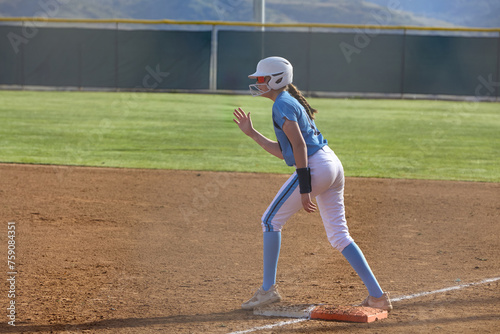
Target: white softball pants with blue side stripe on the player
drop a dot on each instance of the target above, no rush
(327, 178)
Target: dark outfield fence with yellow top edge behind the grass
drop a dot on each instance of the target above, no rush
(363, 62)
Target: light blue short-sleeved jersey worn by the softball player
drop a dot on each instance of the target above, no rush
(287, 107)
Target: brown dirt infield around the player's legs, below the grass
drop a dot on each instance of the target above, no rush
(156, 251)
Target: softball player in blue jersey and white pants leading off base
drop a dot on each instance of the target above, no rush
(319, 173)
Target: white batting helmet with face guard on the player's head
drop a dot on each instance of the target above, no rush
(279, 69)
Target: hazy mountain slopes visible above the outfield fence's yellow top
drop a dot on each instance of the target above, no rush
(478, 13)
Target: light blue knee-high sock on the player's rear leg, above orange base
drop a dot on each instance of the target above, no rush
(357, 260)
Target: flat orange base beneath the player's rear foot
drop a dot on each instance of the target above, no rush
(348, 313)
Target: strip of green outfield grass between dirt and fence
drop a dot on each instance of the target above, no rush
(373, 138)
